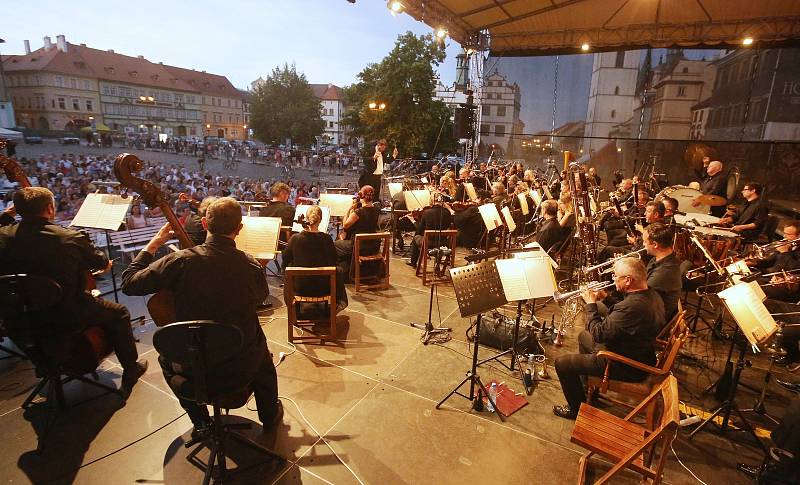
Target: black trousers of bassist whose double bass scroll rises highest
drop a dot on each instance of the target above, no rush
(264, 386)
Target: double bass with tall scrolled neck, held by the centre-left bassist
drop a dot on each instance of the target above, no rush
(161, 305)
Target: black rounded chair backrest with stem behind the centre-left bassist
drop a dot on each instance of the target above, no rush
(199, 345)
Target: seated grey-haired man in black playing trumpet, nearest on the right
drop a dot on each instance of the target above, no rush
(629, 329)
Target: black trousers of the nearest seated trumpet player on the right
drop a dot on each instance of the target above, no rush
(572, 367)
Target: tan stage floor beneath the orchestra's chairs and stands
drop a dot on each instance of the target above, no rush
(372, 399)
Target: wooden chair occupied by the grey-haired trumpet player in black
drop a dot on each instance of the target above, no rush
(664, 363)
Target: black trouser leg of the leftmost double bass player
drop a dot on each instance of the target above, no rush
(115, 320)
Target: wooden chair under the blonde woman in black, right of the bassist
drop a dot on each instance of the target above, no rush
(292, 301)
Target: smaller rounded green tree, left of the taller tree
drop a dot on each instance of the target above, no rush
(284, 106)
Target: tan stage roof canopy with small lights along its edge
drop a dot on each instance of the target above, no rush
(546, 27)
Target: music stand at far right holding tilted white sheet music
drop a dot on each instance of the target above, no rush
(755, 323)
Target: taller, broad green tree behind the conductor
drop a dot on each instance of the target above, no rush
(405, 81)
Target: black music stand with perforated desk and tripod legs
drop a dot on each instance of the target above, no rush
(478, 289)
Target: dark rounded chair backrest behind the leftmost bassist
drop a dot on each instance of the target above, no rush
(22, 293)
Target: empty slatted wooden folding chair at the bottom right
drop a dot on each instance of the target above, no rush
(626, 444)
